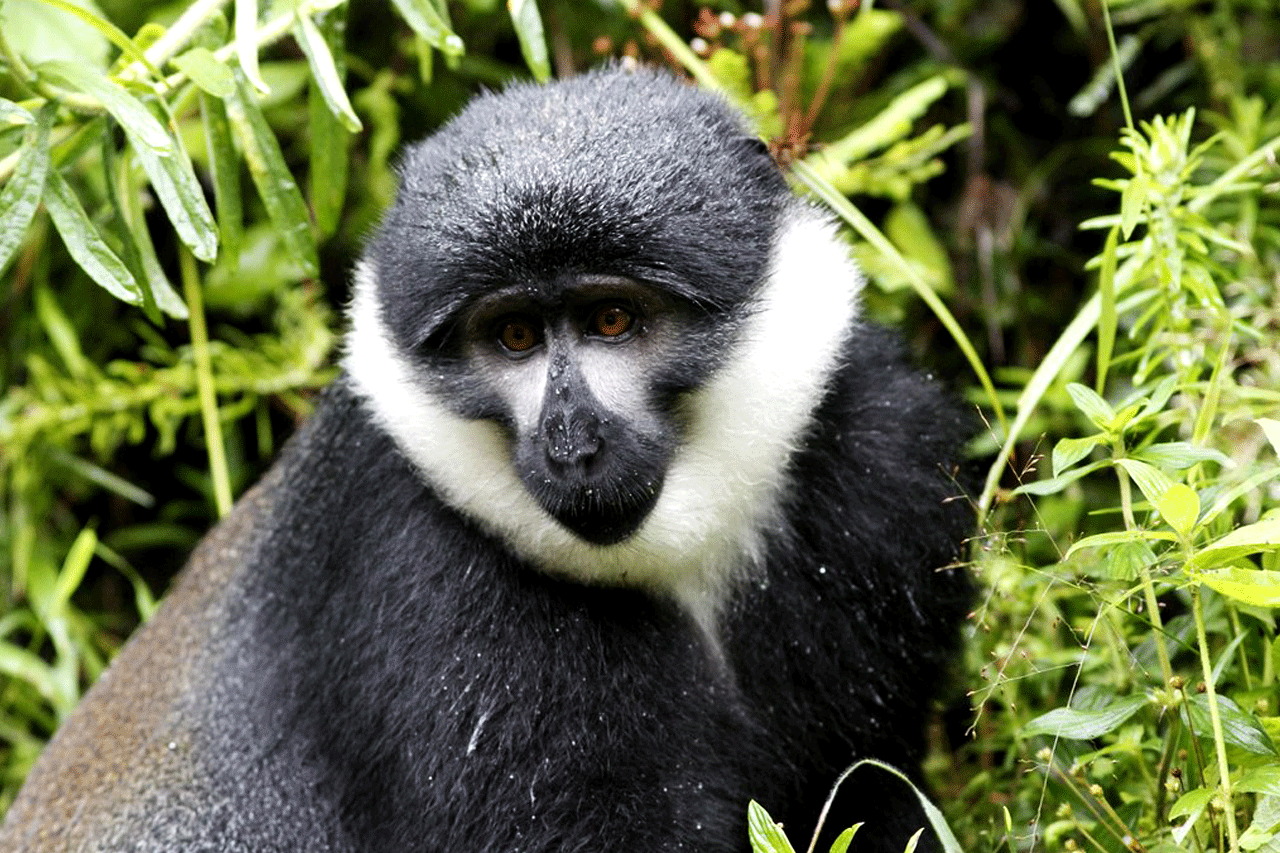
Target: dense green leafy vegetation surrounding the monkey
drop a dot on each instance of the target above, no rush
(1072, 209)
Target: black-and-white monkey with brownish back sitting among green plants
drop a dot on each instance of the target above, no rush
(618, 518)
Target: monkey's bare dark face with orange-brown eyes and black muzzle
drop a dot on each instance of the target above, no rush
(586, 378)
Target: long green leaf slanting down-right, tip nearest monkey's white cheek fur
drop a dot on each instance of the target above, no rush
(272, 177)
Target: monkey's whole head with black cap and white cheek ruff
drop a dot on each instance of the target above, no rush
(568, 323)
